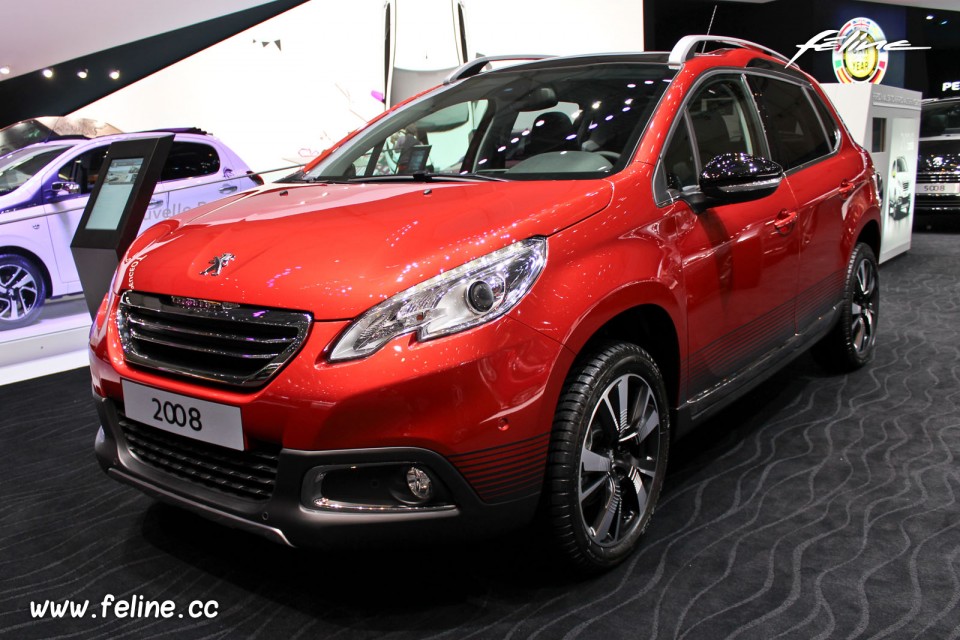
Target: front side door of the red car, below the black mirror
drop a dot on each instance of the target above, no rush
(740, 260)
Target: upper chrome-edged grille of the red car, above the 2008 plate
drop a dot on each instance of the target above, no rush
(221, 342)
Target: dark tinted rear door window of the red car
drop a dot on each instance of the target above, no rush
(796, 134)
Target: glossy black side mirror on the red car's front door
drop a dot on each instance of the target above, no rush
(736, 177)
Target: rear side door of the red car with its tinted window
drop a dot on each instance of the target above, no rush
(805, 140)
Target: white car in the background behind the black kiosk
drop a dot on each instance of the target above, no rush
(44, 188)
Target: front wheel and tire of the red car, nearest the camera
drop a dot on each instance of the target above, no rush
(607, 458)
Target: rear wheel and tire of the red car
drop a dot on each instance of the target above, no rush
(852, 341)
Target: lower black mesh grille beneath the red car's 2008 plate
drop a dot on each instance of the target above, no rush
(248, 474)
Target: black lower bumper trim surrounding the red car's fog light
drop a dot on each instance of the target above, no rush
(283, 518)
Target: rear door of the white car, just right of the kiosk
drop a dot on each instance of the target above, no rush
(194, 174)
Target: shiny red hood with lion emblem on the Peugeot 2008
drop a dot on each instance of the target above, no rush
(336, 250)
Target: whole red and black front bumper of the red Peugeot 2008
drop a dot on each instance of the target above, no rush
(476, 408)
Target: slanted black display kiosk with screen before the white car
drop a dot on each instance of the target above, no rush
(115, 211)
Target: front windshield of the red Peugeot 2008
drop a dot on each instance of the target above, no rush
(559, 123)
